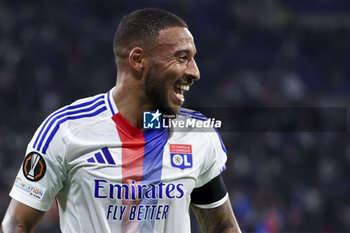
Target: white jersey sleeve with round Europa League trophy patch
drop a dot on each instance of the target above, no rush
(42, 172)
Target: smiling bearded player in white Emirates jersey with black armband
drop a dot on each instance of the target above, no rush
(107, 173)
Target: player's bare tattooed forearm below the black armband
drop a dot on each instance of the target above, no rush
(217, 220)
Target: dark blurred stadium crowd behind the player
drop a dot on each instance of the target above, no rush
(250, 53)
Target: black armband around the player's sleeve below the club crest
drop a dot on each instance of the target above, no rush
(209, 193)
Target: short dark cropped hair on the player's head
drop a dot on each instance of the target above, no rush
(141, 28)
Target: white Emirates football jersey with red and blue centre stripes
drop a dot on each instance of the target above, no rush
(108, 176)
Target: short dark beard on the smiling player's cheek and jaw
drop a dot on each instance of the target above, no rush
(156, 91)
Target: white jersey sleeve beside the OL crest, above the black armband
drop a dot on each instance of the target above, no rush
(215, 158)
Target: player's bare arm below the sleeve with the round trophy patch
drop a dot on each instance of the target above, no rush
(20, 218)
